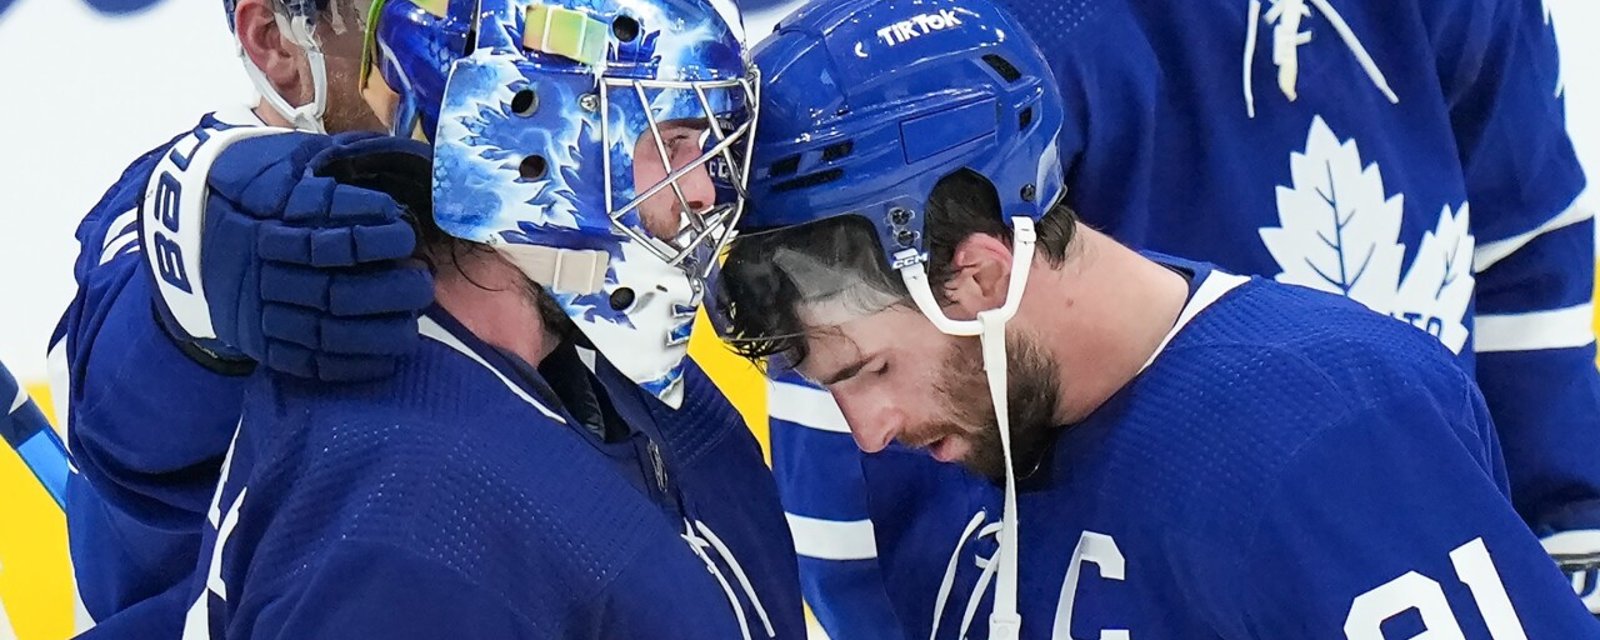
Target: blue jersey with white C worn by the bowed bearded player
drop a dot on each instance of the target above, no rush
(1366, 500)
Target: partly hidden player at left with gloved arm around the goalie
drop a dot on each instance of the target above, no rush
(153, 388)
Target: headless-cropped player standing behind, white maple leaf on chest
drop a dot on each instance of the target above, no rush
(1169, 150)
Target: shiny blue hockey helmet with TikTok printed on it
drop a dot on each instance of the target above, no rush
(870, 103)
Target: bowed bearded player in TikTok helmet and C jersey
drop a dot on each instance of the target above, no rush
(1238, 458)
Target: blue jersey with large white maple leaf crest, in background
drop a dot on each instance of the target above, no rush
(1412, 156)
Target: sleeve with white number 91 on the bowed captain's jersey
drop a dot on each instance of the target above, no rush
(1388, 526)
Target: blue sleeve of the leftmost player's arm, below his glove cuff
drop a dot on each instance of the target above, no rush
(146, 422)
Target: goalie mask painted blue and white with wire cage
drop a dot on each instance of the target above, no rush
(598, 145)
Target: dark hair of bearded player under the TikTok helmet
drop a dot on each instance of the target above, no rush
(761, 300)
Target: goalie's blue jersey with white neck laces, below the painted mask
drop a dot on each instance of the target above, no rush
(476, 497)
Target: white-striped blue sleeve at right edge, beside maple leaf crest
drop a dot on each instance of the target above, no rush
(1535, 257)
